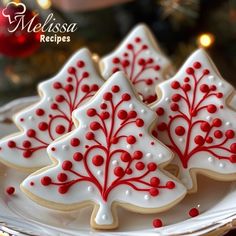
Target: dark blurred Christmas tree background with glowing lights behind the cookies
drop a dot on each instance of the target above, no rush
(180, 26)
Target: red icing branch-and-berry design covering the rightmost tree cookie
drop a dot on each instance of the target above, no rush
(211, 137)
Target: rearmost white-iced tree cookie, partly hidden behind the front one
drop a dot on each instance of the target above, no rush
(141, 59)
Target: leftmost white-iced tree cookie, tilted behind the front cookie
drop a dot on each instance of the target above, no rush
(51, 117)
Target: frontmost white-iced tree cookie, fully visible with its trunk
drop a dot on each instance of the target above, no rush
(110, 159)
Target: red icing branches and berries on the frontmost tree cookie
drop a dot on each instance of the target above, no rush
(110, 121)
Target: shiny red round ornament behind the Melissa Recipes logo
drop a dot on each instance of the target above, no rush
(19, 43)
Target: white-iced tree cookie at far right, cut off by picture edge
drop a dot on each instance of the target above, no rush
(196, 122)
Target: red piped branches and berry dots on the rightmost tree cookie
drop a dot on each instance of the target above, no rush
(211, 130)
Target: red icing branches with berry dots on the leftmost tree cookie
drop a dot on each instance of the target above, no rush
(73, 93)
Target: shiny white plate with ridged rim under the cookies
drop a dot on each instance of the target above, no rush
(215, 201)
